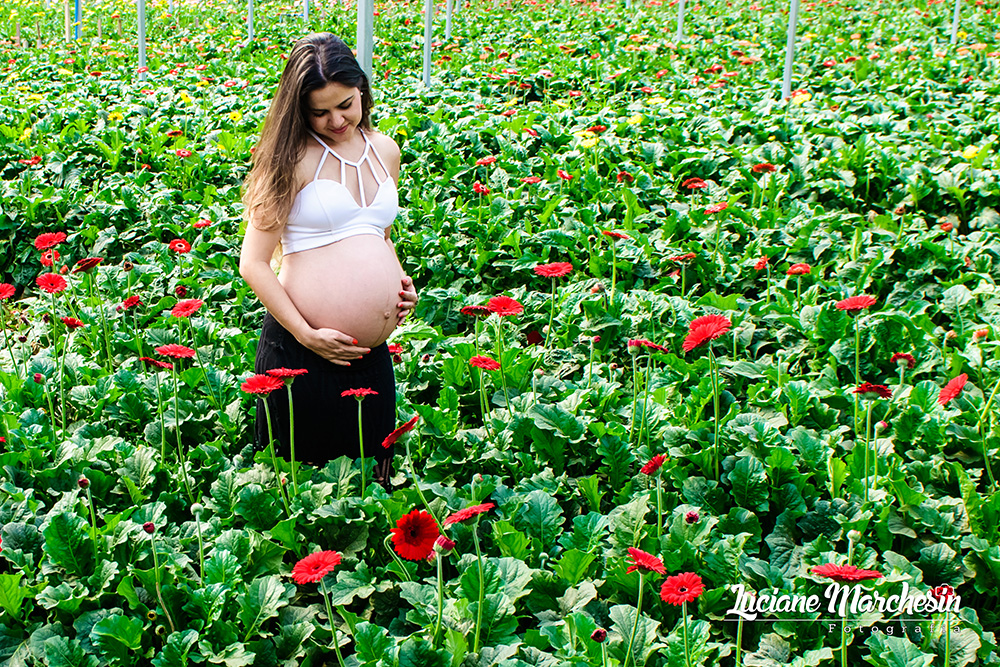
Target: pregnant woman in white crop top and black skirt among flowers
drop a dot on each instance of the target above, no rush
(321, 198)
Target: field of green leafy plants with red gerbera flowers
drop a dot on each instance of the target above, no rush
(678, 339)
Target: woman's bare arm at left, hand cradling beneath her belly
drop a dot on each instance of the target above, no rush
(255, 267)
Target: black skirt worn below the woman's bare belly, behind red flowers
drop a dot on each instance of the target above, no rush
(326, 423)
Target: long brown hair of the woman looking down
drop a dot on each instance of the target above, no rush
(315, 61)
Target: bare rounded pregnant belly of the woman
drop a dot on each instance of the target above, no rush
(352, 286)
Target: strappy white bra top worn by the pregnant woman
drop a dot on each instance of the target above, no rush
(325, 212)
